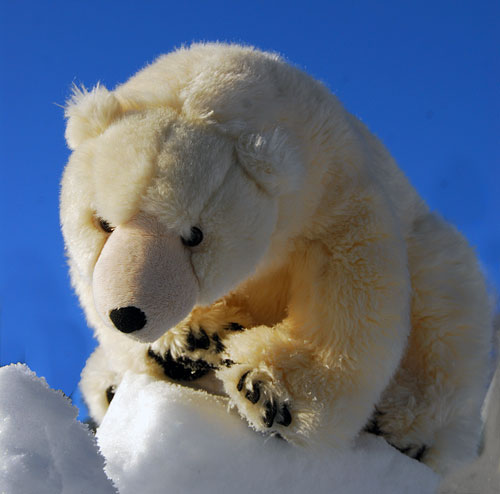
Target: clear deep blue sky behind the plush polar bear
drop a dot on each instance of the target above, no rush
(424, 76)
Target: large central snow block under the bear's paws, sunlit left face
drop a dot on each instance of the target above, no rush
(160, 437)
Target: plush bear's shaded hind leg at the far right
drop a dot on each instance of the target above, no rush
(433, 402)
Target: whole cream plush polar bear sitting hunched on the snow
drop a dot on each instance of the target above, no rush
(230, 225)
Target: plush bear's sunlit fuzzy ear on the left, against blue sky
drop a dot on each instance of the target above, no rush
(89, 113)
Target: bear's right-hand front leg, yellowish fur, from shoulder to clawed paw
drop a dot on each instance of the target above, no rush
(315, 376)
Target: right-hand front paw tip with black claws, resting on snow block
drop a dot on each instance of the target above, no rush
(260, 398)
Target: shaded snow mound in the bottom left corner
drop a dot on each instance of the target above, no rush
(43, 448)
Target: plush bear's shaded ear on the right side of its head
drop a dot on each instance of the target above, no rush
(272, 160)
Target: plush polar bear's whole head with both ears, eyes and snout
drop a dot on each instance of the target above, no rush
(164, 207)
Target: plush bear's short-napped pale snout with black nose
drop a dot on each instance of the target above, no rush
(143, 281)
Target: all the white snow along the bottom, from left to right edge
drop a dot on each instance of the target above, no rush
(160, 438)
